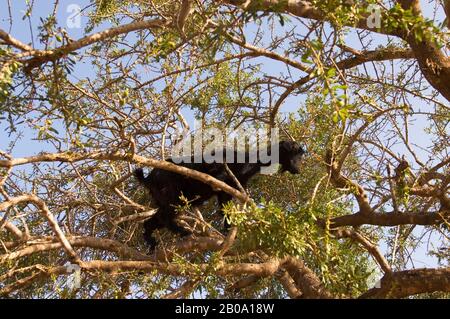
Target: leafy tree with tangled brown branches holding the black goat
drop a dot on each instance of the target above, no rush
(87, 98)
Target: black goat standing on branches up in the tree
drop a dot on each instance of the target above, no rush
(166, 187)
